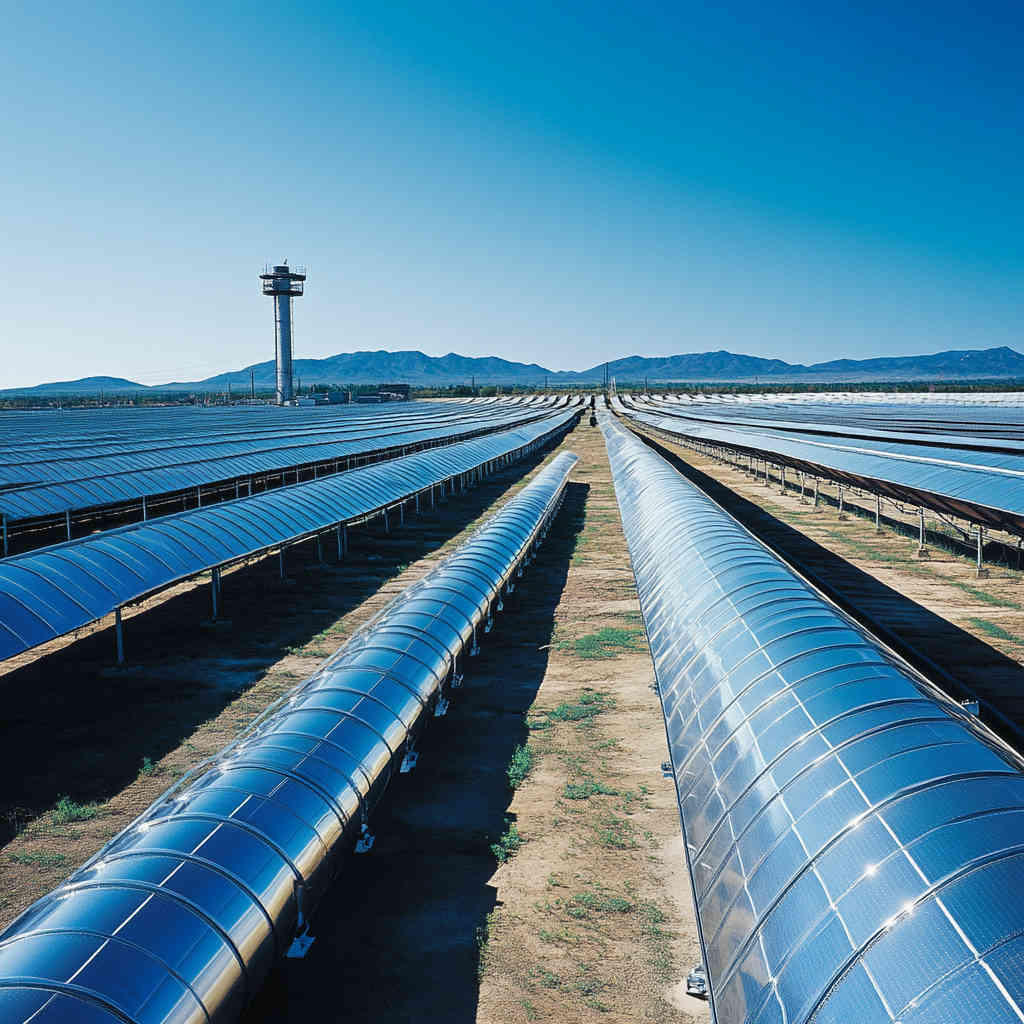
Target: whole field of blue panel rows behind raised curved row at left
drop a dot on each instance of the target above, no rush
(61, 465)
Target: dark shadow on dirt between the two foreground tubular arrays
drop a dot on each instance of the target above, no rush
(398, 935)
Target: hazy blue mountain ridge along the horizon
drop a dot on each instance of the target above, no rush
(418, 369)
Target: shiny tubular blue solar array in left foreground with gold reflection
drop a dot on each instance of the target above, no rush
(180, 918)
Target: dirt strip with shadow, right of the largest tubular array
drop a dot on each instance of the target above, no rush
(965, 633)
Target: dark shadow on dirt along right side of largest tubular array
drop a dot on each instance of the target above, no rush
(958, 662)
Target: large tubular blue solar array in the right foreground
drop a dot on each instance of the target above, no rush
(856, 840)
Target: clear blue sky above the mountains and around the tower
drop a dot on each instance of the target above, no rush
(802, 181)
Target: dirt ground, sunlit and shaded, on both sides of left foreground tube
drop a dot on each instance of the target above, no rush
(563, 899)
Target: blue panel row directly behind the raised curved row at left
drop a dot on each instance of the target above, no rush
(112, 481)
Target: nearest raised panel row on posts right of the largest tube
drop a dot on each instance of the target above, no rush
(979, 487)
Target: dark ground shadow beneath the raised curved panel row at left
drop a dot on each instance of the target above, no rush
(75, 726)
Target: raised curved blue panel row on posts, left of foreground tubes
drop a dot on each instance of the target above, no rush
(48, 593)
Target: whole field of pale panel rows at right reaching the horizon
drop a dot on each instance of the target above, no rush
(971, 466)
